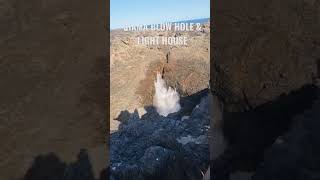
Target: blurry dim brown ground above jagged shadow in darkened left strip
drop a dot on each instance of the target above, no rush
(53, 83)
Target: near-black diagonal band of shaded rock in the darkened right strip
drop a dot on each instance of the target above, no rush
(251, 132)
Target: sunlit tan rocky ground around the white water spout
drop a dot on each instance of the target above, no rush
(133, 68)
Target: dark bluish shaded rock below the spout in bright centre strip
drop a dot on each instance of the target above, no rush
(156, 147)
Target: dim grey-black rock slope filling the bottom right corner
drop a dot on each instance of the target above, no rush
(295, 155)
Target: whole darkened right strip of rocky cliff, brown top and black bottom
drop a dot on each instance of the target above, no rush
(264, 53)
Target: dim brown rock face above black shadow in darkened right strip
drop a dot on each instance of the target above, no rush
(263, 49)
